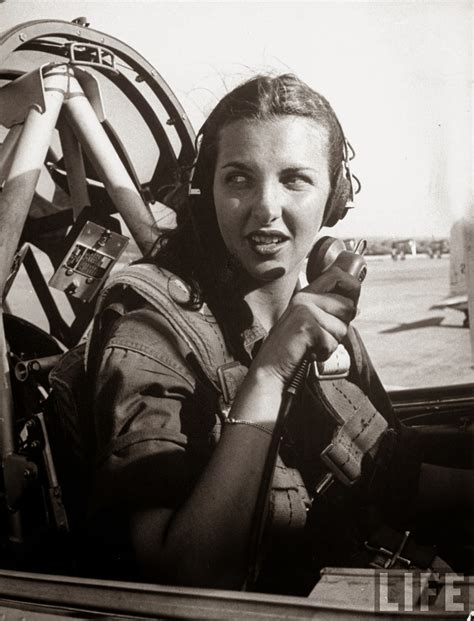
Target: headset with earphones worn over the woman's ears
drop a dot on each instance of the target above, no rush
(341, 198)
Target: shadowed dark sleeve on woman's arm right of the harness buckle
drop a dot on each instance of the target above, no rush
(395, 475)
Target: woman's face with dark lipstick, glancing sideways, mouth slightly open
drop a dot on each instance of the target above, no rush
(271, 185)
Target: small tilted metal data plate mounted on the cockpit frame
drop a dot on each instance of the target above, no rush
(89, 261)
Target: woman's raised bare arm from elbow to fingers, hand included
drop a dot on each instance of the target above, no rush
(205, 542)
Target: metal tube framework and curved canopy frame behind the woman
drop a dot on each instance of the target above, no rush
(63, 94)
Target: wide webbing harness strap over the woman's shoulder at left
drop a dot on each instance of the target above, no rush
(168, 294)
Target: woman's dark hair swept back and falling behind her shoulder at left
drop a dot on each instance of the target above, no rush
(195, 249)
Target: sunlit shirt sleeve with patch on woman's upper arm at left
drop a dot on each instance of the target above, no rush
(154, 417)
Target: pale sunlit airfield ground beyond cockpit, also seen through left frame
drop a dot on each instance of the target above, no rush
(410, 345)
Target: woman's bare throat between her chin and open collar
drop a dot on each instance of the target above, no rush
(269, 301)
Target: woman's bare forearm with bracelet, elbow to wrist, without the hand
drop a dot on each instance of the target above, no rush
(205, 542)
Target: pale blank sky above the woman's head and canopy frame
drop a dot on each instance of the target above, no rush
(398, 74)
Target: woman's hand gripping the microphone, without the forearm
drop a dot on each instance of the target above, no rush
(312, 326)
